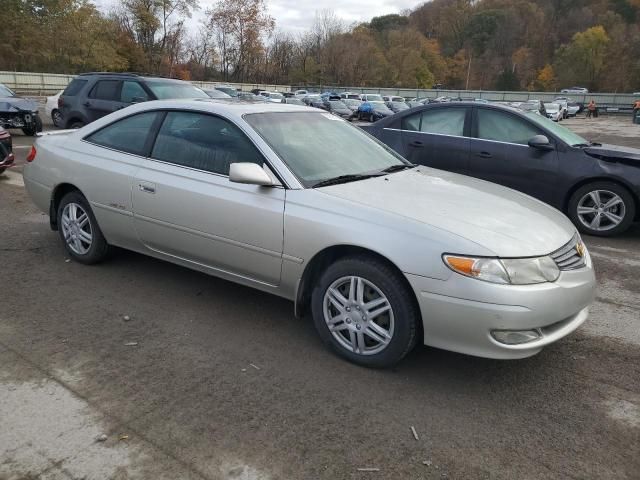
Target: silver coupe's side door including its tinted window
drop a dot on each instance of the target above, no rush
(185, 207)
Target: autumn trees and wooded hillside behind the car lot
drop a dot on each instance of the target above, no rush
(481, 44)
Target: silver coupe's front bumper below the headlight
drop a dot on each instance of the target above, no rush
(460, 313)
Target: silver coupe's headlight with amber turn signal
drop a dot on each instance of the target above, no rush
(514, 271)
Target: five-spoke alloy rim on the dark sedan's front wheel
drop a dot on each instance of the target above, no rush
(601, 210)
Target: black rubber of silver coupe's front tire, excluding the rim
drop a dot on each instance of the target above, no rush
(405, 312)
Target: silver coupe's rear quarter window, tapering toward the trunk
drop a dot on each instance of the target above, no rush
(127, 135)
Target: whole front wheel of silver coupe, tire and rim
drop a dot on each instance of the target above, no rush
(380, 282)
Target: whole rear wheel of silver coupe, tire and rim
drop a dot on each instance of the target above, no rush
(77, 246)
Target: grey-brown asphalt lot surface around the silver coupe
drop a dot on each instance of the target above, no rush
(224, 382)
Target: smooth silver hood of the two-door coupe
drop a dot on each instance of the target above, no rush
(503, 221)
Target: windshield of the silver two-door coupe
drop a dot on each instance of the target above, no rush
(300, 140)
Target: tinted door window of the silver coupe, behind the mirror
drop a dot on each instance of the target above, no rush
(204, 142)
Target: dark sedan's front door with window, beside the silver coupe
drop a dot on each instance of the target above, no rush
(499, 153)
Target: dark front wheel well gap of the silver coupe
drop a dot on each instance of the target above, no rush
(329, 255)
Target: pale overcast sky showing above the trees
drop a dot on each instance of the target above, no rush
(298, 15)
